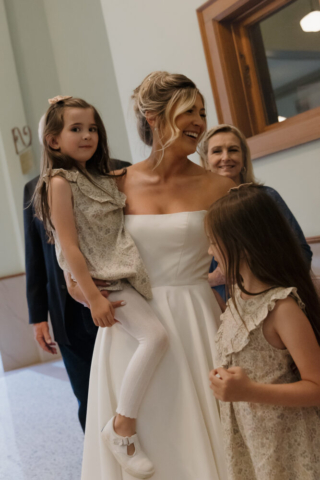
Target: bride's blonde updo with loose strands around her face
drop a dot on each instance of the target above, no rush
(166, 96)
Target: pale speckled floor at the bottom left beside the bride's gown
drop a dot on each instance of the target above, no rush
(40, 436)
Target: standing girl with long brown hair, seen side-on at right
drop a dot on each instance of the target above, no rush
(268, 382)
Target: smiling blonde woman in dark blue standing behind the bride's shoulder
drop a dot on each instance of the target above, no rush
(224, 150)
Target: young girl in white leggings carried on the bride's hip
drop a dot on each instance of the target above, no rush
(82, 210)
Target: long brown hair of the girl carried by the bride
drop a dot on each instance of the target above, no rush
(52, 159)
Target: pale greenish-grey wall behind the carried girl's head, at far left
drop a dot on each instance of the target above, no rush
(48, 48)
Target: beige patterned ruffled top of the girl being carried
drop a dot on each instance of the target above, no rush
(108, 248)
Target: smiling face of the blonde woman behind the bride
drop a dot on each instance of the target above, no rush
(225, 155)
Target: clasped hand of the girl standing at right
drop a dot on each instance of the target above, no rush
(232, 385)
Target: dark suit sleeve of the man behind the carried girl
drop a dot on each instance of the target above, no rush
(36, 276)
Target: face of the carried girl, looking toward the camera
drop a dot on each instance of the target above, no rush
(79, 137)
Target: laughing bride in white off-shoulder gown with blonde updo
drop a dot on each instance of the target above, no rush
(167, 198)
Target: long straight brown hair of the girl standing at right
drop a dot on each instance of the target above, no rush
(247, 225)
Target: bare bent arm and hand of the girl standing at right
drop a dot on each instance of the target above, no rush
(295, 331)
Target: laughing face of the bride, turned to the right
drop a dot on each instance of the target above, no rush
(191, 125)
